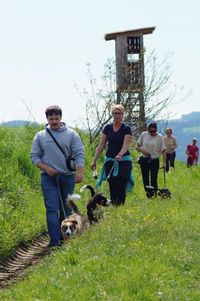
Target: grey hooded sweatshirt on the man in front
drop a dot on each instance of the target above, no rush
(45, 149)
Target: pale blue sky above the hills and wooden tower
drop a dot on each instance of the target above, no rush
(46, 44)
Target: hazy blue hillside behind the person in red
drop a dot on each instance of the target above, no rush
(184, 129)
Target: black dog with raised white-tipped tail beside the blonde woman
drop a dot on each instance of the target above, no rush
(94, 211)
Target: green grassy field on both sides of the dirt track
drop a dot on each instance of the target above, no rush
(146, 250)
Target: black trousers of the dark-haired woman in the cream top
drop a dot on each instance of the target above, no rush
(149, 171)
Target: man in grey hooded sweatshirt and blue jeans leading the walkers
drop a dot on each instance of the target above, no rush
(51, 148)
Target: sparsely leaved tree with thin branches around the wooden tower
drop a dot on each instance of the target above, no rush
(159, 93)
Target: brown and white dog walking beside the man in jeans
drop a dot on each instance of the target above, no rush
(75, 223)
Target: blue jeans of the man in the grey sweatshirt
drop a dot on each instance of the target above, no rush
(54, 209)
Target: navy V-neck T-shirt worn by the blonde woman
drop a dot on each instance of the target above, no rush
(116, 139)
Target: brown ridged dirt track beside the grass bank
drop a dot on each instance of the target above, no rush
(15, 267)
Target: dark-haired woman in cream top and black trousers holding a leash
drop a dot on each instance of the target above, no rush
(151, 144)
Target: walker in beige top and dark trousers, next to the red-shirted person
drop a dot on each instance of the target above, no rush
(171, 145)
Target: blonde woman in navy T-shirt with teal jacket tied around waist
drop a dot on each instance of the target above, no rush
(117, 137)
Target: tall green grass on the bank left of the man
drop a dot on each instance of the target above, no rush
(20, 196)
